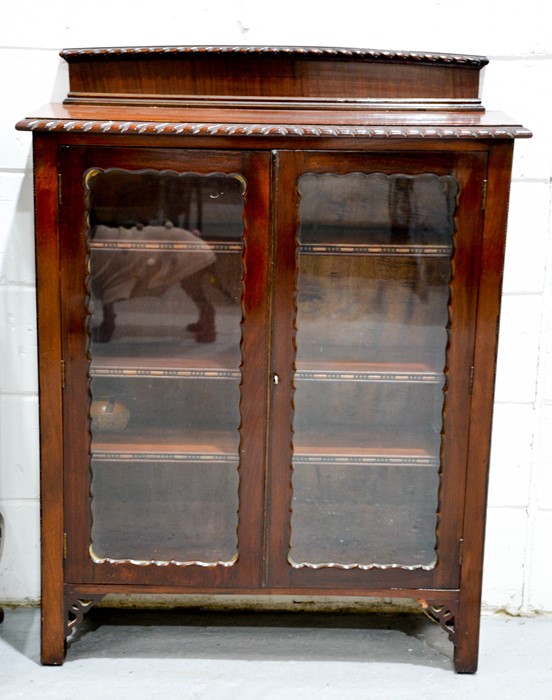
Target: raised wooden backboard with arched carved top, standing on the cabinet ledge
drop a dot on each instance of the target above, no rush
(284, 74)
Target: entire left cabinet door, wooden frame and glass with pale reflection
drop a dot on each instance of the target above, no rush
(164, 279)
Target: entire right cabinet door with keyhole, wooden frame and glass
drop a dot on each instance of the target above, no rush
(377, 267)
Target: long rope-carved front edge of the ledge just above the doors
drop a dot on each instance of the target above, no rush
(272, 130)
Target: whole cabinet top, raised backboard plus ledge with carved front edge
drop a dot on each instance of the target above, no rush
(268, 90)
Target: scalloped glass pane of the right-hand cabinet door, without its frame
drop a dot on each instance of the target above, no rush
(374, 259)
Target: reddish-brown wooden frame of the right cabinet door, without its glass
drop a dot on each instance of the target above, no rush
(469, 171)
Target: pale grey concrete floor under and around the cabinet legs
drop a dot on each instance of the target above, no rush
(196, 654)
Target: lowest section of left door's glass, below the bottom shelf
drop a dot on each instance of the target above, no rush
(173, 520)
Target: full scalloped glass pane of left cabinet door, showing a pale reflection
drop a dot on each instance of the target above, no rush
(165, 286)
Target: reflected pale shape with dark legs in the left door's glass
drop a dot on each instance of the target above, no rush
(119, 274)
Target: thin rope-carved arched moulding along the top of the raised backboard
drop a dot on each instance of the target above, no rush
(299, 51)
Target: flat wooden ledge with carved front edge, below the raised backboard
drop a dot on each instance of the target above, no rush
(317, 126)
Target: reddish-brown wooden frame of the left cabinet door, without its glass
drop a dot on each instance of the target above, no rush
(79, 565)
